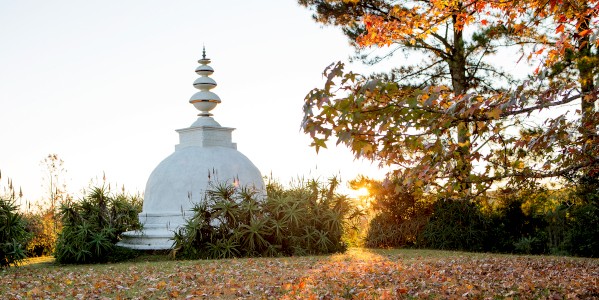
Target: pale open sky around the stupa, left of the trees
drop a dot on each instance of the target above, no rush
(104, 84)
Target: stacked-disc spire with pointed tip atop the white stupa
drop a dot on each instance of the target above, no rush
(204, 100)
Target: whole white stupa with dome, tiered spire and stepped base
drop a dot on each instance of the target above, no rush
(205, 154)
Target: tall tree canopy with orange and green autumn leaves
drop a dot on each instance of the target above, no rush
(448, 115)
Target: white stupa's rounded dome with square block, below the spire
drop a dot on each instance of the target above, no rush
(204, 155)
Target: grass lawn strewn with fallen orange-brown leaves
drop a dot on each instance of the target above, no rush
(359, 274)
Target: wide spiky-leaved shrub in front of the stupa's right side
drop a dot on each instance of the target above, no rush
(238, 221)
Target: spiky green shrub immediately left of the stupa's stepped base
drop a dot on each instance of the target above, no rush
(91, 227)
